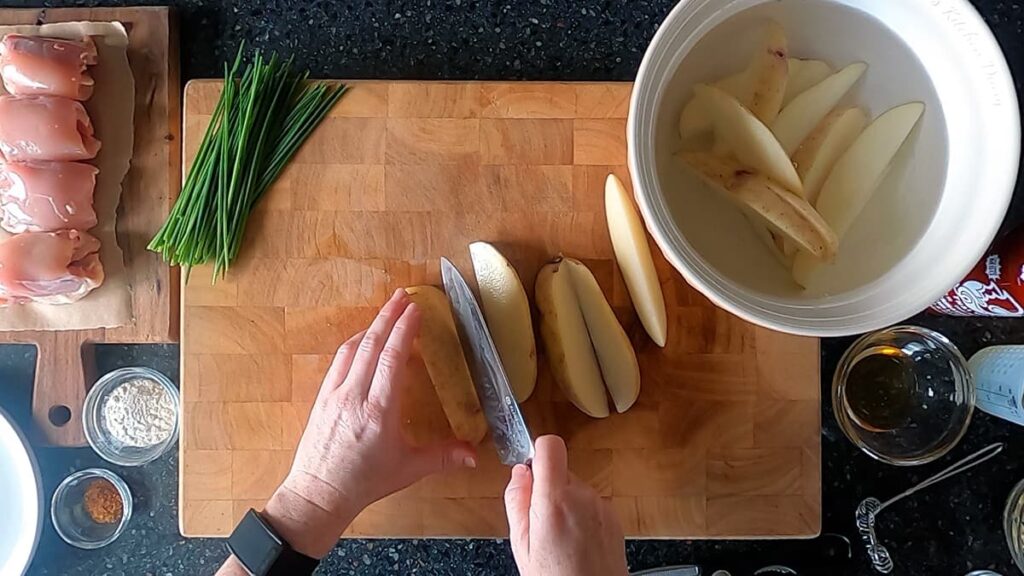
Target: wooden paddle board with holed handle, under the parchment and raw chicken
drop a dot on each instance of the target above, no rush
(64, 364)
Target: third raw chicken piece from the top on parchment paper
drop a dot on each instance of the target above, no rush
(41, 196)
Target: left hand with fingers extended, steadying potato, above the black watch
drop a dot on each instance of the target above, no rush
(353, 452)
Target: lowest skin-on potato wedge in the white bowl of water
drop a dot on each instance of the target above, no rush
(783, 212)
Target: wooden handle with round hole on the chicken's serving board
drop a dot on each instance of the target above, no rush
(61, 385)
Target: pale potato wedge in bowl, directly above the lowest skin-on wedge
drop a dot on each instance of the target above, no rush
(750, 140)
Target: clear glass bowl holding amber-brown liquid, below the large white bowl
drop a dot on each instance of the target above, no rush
(904, 395)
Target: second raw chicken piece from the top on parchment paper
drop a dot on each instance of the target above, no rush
(46, 129)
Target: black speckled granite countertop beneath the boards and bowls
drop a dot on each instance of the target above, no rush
(950, 529)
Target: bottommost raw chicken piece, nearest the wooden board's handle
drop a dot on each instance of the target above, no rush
(53, 268)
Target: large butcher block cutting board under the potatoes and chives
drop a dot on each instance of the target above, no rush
(723, 441)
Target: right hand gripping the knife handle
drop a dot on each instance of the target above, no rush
(559, 526)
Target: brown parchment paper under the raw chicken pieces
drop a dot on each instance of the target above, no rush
(112, 109)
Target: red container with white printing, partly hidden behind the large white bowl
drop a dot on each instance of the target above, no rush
(995, 287)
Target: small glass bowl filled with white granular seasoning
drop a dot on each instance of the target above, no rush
(99, 436)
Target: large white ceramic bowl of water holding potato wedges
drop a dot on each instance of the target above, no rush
(933, 217)
